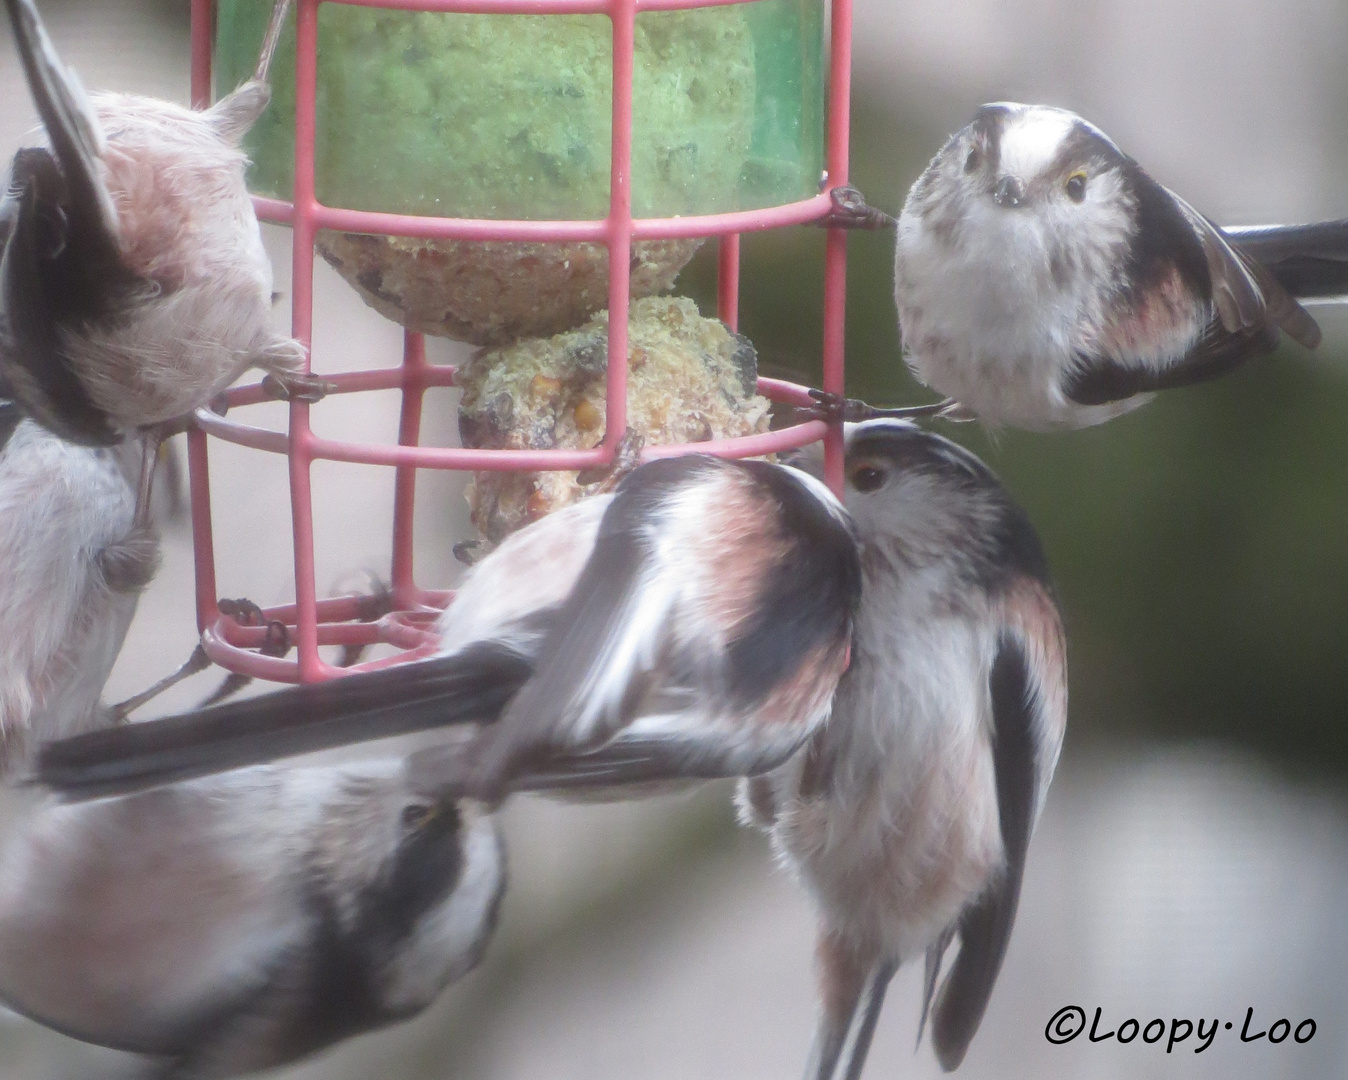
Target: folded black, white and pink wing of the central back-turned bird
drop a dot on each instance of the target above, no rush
(708, 628)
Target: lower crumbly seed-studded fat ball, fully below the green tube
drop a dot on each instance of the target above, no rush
(690, 381)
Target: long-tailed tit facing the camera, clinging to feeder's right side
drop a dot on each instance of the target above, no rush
(1044, 280)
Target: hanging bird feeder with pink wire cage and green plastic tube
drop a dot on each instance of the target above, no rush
(505, 131)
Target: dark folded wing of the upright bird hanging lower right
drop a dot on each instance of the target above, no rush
(986, 927)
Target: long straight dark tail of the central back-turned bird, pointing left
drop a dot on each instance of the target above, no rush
(468, 687)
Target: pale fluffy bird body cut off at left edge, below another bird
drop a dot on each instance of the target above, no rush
(73, 562)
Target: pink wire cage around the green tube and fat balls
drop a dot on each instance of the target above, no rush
(339, 621)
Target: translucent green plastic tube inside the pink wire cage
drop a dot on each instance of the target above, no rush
(509, 117)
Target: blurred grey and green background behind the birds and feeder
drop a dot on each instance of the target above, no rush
(1194, 857)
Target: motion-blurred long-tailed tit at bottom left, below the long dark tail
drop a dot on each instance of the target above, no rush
(239, 923)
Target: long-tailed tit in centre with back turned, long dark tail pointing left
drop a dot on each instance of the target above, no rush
(704, 611)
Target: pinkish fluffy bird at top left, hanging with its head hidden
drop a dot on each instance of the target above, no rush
(134, 287)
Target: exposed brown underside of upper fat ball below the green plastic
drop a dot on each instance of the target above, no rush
(493, 293)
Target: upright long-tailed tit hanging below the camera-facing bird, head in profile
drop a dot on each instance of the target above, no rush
(909, 814)
